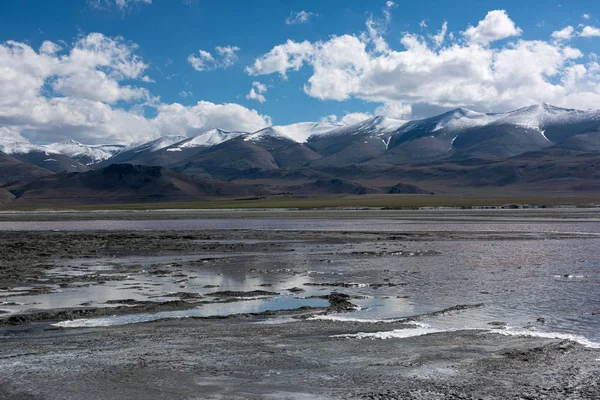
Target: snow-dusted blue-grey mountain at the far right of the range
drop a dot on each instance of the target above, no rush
(463, 133)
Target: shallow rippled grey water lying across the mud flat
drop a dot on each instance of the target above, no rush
(539, 285)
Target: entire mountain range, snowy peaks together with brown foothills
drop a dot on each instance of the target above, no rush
(460, 150)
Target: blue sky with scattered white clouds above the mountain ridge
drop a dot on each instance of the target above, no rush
(124, 71)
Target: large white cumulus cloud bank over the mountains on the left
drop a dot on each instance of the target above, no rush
(55, 94)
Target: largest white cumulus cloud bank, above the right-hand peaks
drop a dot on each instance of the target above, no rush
(474, 73)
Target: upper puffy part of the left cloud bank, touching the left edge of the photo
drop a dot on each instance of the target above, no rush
(92, 69)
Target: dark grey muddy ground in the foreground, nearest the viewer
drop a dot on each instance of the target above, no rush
(246, 358)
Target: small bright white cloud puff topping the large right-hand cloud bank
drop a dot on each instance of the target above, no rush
(495, 26)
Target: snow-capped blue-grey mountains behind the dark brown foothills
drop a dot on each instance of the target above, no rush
(458, 133)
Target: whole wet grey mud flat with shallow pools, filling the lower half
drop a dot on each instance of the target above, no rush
(238, 313)
